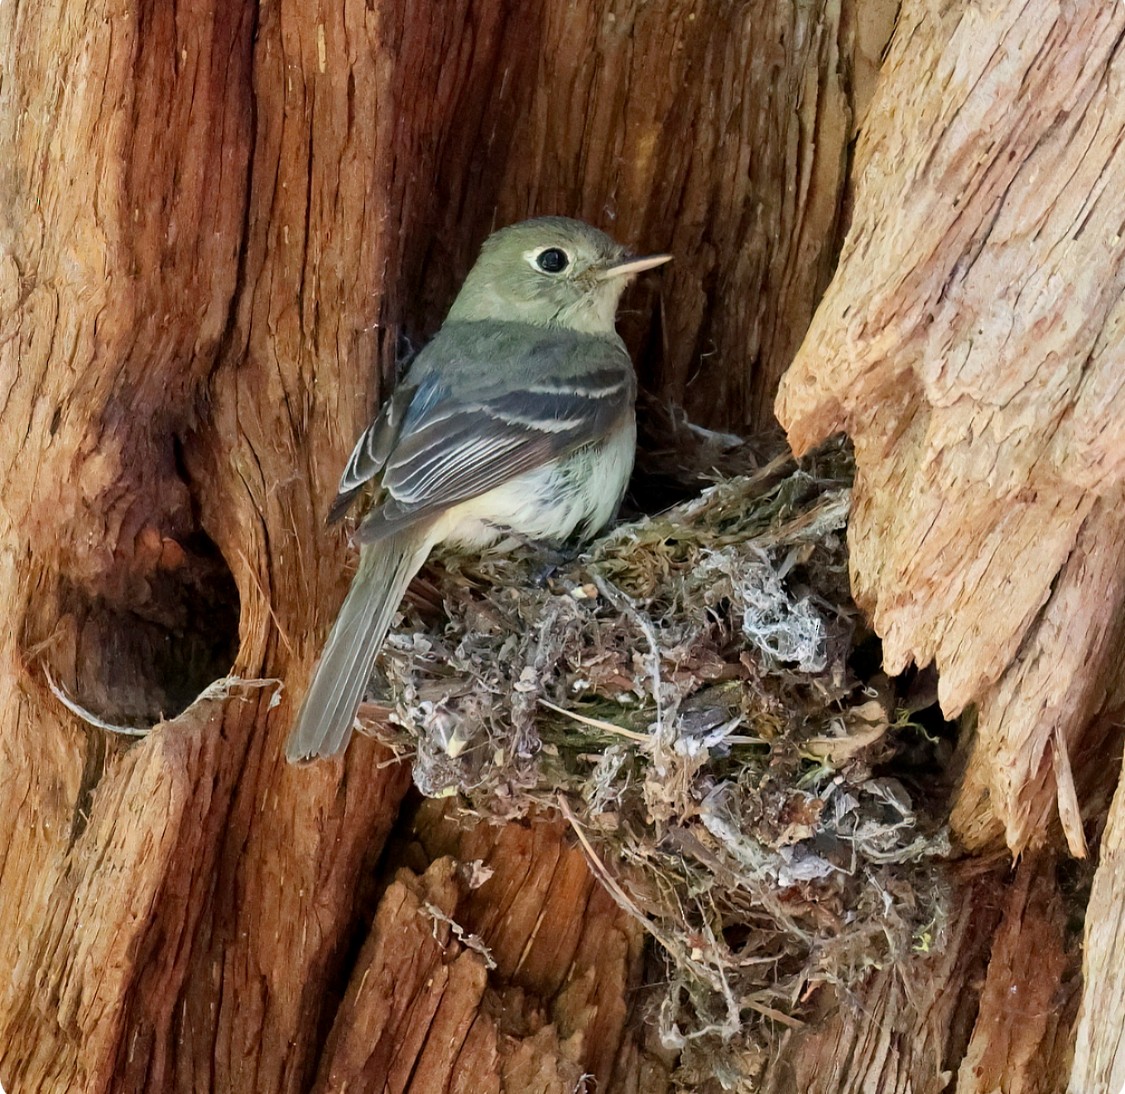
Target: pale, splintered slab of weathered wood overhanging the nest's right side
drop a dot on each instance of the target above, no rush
(970, 345)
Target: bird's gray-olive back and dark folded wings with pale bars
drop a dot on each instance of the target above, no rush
(484, 410)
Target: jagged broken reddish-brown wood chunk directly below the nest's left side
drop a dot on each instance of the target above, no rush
(422, 1007)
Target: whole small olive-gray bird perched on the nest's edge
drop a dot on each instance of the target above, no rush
(515, 424)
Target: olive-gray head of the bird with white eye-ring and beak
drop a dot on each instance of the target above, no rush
(551, 272)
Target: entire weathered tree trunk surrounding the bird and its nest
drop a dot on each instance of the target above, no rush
(222, 225)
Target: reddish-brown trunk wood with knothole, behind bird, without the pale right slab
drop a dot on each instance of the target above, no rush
(219, 222)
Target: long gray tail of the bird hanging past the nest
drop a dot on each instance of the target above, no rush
(328, 714)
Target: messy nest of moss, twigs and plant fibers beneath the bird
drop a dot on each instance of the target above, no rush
(683, 695)
